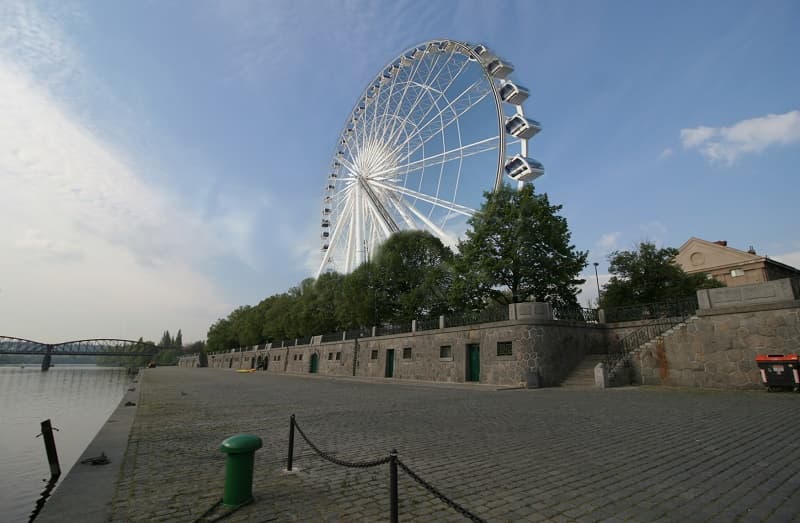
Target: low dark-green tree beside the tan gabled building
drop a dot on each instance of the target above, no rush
(648, 275)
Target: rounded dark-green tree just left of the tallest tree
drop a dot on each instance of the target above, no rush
(411, 276)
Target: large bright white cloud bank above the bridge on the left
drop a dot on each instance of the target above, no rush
(90, 249)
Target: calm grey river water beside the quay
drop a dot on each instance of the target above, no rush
(77, 398)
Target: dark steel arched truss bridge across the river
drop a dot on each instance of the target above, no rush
(93, 347)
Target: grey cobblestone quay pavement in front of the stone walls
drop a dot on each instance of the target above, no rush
(634, 454)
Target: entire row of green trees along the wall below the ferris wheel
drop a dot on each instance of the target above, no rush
(518, 250)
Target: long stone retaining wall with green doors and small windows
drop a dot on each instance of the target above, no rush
(543, 353)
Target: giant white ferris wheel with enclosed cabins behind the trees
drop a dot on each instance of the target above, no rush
(436, 128)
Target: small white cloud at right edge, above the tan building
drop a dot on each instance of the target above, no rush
(726, 144)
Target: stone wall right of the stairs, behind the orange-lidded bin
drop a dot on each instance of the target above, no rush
(718, 348)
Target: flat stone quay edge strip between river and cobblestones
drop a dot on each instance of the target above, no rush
(86, 492)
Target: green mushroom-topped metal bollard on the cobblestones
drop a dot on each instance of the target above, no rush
(241, 450)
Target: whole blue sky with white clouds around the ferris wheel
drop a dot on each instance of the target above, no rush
(163, 162)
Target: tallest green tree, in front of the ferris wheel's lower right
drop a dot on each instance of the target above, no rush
(518, 250)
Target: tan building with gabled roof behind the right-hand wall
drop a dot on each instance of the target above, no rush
(730, 266)
